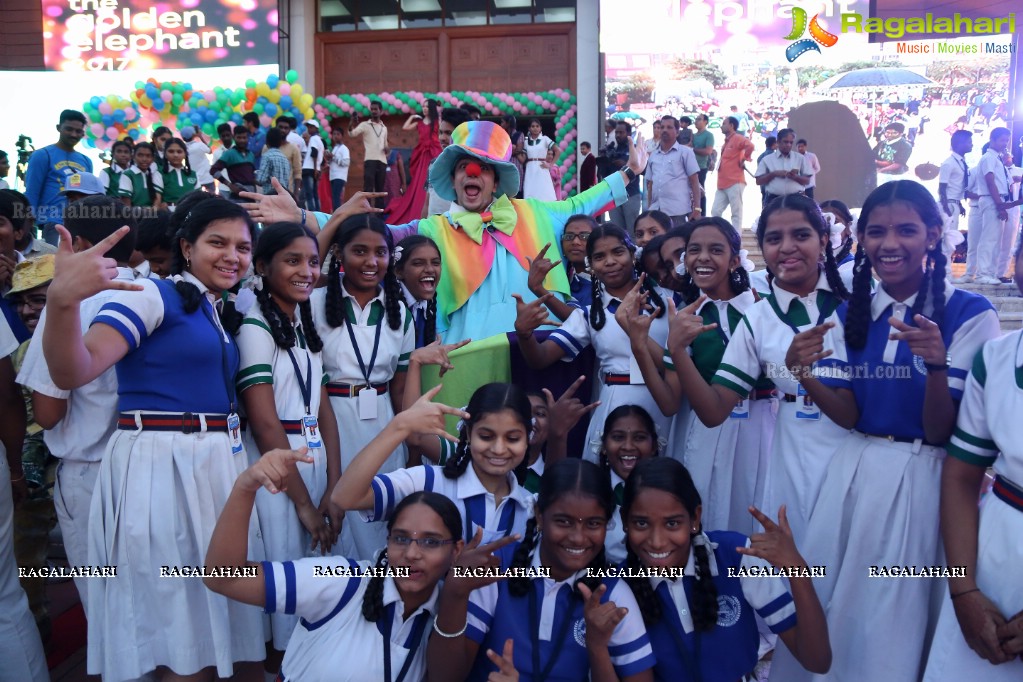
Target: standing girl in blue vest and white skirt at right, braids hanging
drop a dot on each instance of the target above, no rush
(909, 349)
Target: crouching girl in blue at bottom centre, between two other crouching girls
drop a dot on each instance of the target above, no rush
(571, 626)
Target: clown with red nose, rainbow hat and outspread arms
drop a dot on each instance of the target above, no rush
(486, 240)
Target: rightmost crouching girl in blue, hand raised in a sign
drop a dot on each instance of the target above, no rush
(702, 627)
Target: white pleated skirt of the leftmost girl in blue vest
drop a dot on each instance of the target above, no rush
(157, 502)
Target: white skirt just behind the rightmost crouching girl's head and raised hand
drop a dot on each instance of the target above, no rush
(729, 466)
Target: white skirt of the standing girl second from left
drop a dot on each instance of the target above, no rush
(285, 538)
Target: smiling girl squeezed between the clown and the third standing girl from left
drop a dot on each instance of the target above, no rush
(418, 266)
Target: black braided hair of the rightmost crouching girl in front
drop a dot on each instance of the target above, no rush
(669, 475)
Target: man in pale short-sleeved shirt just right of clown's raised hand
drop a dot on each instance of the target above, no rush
(674, 176)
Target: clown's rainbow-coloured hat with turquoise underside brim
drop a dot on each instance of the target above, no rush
(485, 142)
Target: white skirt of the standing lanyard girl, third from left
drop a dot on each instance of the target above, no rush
(360, 539)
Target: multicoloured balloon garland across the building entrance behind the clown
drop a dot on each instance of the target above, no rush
(179, 105)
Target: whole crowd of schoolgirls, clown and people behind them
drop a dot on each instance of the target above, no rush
(245, 388)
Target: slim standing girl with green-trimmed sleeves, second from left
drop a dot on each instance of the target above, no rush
(283, 389)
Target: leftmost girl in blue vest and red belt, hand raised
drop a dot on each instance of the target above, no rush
(170, 467)
